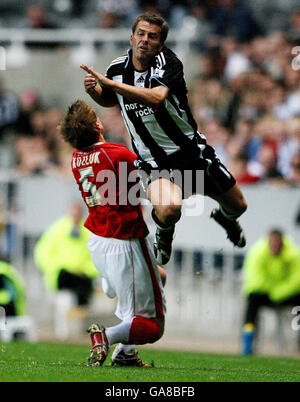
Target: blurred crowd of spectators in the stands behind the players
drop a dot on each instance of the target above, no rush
(245, 97)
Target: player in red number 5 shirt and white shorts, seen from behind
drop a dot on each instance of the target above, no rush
(120, 251)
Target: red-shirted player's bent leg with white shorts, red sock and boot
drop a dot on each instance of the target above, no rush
(127, 267)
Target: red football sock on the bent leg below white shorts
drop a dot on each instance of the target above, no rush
(143, 330)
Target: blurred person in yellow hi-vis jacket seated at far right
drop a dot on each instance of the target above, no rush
(271, 278)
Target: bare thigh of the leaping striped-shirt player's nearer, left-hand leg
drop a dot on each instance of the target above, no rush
(163, 192)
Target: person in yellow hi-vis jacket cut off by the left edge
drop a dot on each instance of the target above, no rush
(12, 290)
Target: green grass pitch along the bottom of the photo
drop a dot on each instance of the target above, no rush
(62, 362)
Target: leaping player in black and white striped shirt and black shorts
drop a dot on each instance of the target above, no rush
(148, 84)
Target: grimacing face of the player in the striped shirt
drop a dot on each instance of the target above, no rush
(145, 42)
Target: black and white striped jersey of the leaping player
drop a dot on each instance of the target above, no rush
(157, 133)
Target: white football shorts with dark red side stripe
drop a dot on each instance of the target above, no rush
(129, 272)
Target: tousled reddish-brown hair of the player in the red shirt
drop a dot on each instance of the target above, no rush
(78, 127)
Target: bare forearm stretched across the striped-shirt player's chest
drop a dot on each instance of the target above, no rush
(153, 96)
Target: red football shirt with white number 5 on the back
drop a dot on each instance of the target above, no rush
(102, 173)
